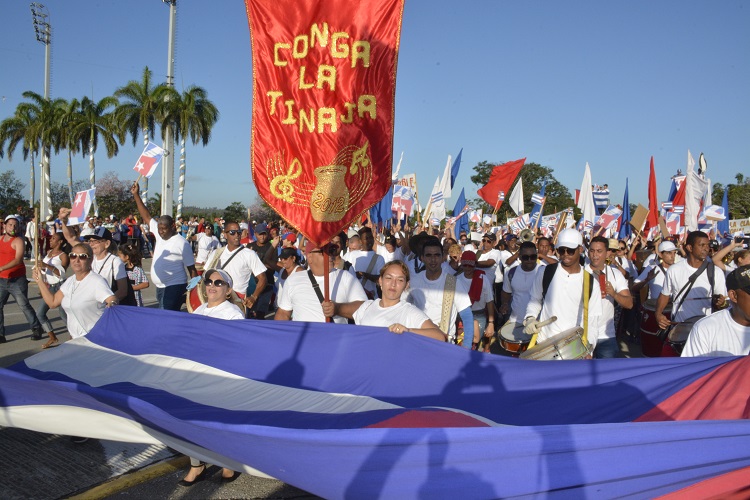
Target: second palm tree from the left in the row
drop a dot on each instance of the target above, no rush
(44, 130)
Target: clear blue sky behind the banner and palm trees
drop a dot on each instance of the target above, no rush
(561, 83)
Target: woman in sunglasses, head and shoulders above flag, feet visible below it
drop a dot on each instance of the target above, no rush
(218, 286)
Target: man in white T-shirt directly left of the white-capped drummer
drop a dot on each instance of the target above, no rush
(518, 282)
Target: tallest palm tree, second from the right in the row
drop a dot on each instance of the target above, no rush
(142, 107)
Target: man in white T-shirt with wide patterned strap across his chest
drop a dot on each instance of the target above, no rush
(427, 292)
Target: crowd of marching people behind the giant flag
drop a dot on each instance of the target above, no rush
(474, 289)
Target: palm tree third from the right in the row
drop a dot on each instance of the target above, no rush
(96, 121)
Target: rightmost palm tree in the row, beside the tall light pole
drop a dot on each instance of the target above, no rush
(190, 115)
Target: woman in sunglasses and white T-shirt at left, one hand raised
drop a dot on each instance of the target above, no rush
(83, 296)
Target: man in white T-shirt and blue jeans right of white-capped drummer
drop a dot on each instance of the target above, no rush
(613, 288)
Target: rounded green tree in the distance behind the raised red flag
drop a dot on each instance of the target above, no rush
(533, 175)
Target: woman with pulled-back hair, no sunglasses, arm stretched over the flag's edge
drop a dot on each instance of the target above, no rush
(399, 316)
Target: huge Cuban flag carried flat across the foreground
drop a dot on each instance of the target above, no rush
(358, 412)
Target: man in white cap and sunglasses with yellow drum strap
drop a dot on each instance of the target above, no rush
(563, 296)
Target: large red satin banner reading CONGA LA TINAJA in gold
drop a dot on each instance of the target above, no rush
(324, 83)
